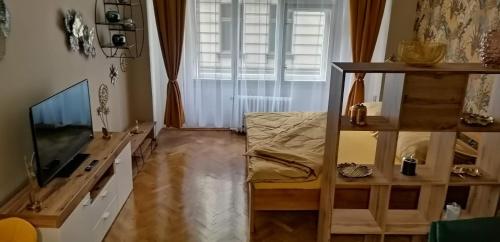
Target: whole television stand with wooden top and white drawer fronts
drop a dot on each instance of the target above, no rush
(83, 206)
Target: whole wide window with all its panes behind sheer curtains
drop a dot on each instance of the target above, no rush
(304, 48)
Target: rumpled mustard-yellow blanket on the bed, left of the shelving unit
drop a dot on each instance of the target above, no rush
(299, 146)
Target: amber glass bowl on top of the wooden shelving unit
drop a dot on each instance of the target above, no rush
(417, 53)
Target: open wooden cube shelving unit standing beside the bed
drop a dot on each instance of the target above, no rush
(419, 100)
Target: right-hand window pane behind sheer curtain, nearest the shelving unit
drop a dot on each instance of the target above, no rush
(306, 45)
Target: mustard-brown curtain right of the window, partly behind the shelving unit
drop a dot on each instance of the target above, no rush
(366, 17)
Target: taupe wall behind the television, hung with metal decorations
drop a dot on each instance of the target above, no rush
(38, 64)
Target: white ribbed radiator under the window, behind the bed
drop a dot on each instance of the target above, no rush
(249, 104)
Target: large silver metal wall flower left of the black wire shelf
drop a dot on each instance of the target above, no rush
(80, 36)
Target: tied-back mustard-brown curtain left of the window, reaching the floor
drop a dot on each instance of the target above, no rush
(170, 21)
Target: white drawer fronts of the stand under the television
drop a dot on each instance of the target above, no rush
(92, 218)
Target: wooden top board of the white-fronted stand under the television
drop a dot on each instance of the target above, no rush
(61, 196)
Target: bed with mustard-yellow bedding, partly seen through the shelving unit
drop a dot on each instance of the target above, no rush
(274, 185)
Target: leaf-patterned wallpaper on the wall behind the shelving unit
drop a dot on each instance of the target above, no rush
(461, 23)
